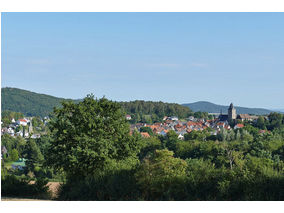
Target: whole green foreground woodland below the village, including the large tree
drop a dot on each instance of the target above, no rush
(89, 149)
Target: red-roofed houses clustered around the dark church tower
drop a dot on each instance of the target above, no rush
(194, 124)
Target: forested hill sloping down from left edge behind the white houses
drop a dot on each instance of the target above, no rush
(28, 103)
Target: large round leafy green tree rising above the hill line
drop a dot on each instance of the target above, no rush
(88, 137)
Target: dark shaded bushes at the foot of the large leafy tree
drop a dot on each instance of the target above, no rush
(120, 185)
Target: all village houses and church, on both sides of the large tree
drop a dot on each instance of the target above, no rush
(24, 128)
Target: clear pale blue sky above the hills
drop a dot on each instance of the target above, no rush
(171, 57)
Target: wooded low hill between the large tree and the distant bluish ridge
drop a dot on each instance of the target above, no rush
(149, 112)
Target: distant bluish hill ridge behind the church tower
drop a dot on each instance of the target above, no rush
(205, 106)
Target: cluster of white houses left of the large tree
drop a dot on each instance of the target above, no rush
(13, 130)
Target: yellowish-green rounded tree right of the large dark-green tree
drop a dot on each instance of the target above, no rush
(160, 175)
